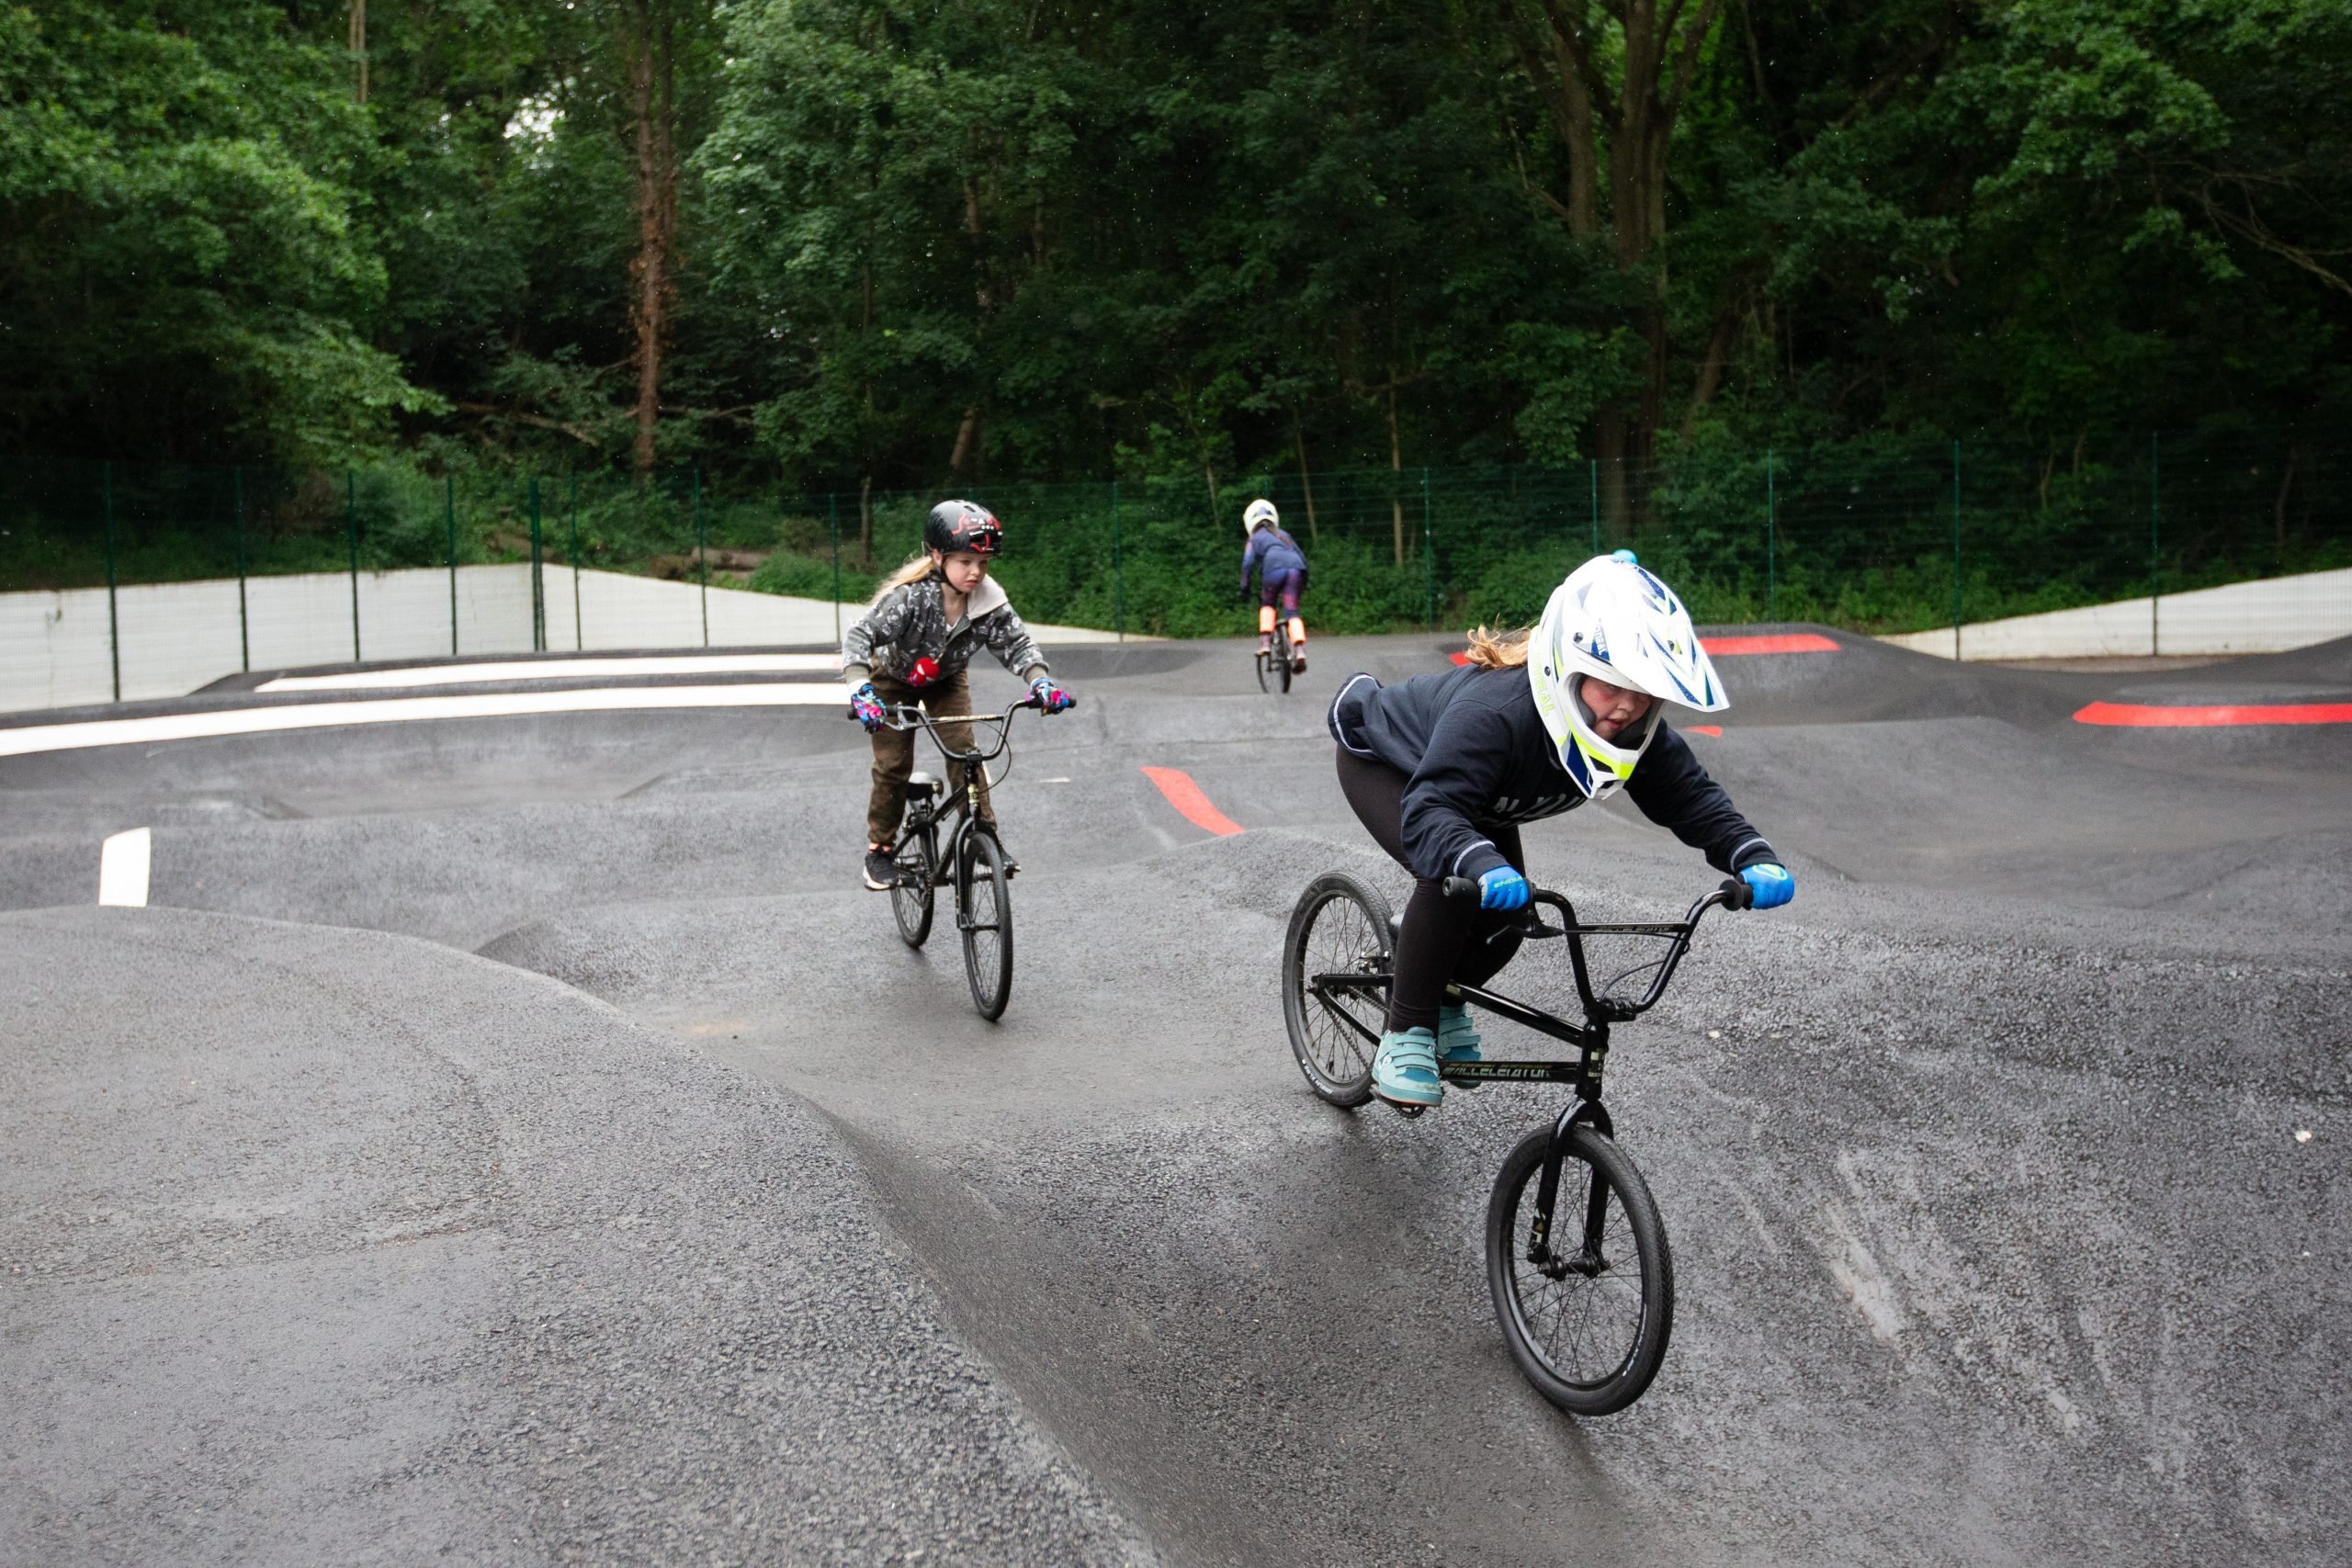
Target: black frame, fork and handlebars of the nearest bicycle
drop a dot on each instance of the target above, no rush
(1591, 1043)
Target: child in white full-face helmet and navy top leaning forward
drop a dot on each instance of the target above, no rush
(1445, 768)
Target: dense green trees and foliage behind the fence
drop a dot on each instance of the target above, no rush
(853, 243)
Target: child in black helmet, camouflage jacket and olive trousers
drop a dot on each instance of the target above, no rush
(914, 645)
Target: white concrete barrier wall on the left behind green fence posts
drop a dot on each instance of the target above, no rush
(185, 636)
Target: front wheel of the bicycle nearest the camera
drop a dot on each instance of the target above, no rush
(1549, 1351)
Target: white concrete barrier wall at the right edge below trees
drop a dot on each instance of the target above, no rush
(2266, 617)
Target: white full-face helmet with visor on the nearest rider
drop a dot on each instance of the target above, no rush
(1617, 622)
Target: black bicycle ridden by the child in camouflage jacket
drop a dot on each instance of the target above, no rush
(975, 859)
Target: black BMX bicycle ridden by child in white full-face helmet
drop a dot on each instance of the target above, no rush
(1589, 1313)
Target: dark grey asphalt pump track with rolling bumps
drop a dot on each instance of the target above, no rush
(523, 1141)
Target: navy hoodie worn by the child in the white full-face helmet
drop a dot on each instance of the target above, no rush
(1476, 758)
